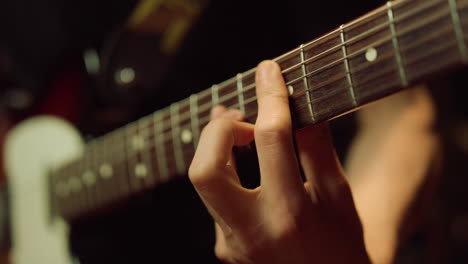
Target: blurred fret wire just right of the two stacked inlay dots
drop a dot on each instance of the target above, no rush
(159, 145)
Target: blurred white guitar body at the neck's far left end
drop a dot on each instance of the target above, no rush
(33, 148)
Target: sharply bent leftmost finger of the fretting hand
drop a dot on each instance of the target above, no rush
(213, 178)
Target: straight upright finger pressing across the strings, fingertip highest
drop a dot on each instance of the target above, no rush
(273, 135)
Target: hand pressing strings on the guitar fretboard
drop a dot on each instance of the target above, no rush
(283, 220)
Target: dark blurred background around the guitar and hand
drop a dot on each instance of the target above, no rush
(68, 58)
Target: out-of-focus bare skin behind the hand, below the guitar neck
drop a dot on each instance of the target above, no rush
(391, 157)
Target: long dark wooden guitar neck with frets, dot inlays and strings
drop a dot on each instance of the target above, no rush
(380, 53)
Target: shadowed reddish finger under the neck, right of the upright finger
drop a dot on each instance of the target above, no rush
(322, 168)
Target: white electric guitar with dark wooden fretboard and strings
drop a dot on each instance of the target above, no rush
(55, 178)
